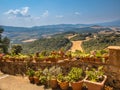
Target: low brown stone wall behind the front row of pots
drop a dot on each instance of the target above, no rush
(14, 68)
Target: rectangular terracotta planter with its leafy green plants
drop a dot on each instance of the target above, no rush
(95, 79)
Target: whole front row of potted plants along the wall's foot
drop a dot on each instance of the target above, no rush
(76, 78)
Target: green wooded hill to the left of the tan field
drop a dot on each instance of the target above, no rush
(47, 44)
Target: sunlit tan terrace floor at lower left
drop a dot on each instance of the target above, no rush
(8, 82)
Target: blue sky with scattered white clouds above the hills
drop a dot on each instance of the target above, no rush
(28, 13)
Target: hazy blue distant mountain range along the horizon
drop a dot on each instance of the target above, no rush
(20, 34)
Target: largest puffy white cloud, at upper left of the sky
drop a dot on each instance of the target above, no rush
(23, 12)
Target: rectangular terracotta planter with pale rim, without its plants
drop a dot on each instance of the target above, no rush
(95, 85)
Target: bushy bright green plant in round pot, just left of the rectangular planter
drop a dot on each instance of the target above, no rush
(76, 78)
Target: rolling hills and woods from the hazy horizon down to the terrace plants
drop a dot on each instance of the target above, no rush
(55, 37)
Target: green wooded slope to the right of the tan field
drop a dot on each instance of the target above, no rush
(101, 42)
